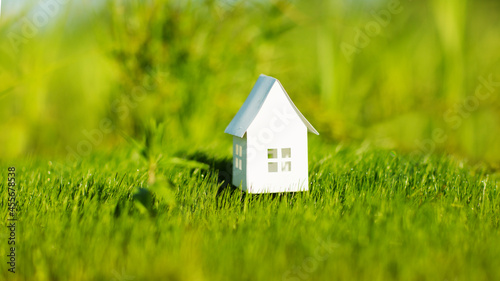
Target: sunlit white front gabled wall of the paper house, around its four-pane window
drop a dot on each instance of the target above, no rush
(277, 126)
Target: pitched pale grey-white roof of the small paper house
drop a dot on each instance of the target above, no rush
(247, 113)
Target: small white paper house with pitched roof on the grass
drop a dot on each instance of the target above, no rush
(270, 141)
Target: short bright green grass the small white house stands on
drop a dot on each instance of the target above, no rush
(370, 215)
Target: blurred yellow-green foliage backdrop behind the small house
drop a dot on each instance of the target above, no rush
(77, 76)
